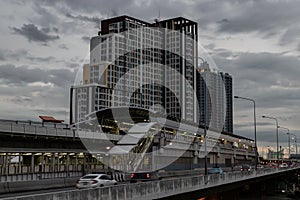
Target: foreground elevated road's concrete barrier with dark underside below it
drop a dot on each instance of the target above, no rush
(189, 187)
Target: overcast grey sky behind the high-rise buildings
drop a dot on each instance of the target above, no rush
(44, 42)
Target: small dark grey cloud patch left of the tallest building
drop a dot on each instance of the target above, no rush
(32, 33)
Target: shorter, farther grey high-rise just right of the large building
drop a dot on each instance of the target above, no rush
(214, 92)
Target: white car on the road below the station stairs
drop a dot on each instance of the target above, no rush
(94, 180)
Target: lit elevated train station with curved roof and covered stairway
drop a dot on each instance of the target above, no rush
(111, 143)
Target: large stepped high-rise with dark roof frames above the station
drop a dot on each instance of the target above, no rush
(135, 63)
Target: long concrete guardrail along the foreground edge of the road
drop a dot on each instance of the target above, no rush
(155, 189)
